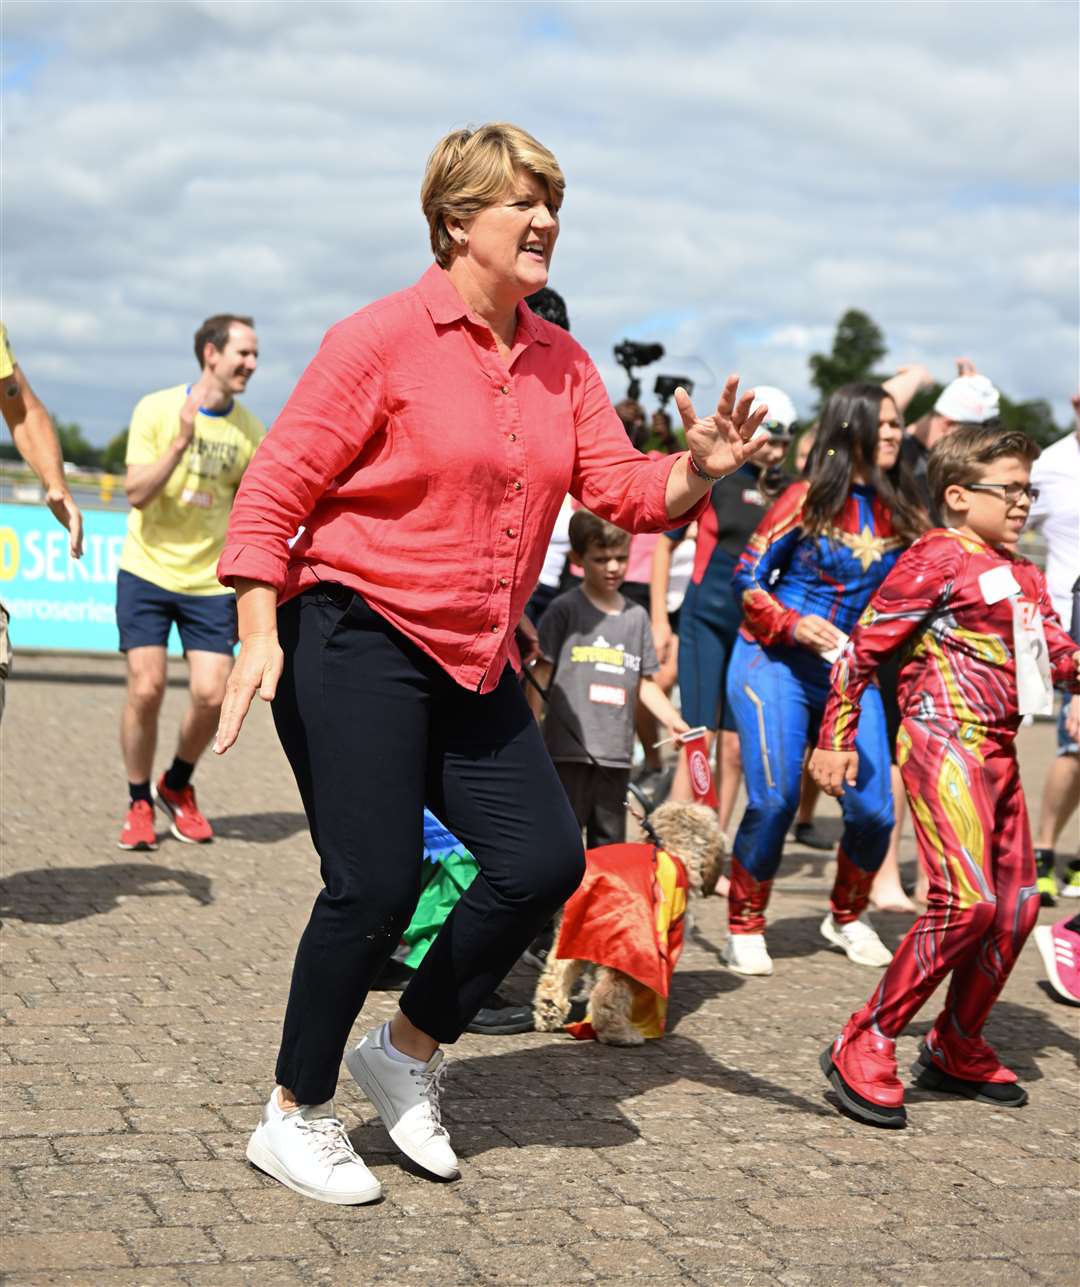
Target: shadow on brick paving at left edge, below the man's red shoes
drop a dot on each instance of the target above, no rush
(56, 896)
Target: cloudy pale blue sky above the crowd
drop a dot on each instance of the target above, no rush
(738, 176)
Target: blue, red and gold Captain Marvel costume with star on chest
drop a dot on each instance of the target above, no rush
(778, 689)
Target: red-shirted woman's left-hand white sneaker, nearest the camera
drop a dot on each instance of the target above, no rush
(310, 1151)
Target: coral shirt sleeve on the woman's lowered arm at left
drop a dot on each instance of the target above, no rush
(337, 407)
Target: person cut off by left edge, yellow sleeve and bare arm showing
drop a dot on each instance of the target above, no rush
(38, 445)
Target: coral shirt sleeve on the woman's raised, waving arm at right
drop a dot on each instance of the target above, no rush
(611, 477)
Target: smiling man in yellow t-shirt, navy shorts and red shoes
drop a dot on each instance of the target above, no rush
(187, 451)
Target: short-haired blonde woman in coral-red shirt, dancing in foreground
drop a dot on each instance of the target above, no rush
(425, 454)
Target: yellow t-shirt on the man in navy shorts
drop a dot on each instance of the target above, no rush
(177, 540)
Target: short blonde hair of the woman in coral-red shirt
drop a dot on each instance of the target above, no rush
(470, 171)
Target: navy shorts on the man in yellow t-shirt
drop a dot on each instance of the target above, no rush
(146, 613)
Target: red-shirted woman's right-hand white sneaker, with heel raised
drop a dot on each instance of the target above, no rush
(407, 1098)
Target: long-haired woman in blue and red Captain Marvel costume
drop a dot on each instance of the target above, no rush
(804, 581)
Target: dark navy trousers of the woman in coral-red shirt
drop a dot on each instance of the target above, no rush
(375, 730)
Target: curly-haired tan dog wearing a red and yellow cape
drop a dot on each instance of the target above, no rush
(626, 923)
